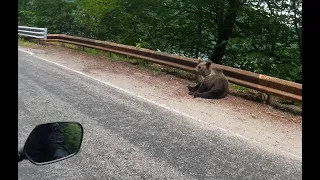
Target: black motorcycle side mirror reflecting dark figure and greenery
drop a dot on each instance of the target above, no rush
(53, 142)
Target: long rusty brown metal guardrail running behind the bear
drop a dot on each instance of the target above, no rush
(269, 85)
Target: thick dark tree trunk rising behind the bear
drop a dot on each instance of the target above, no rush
(225, 31)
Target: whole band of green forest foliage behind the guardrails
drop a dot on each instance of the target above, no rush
(266, 37)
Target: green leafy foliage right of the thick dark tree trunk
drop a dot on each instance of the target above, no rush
(265, 43)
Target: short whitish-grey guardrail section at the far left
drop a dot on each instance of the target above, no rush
(33, 32)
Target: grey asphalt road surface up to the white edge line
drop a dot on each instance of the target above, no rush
(128, 138)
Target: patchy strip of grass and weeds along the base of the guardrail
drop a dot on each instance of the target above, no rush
(157, 69)
